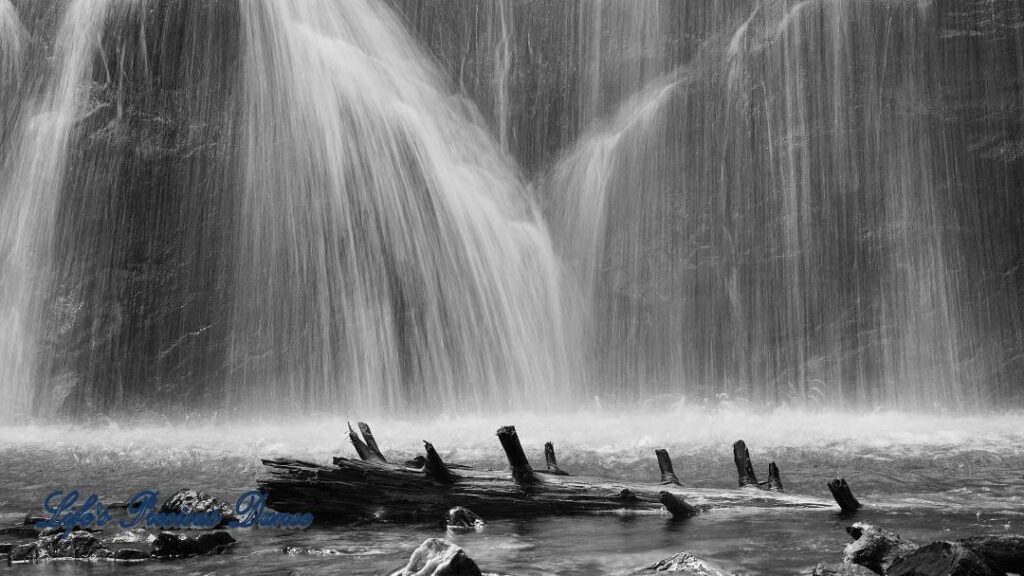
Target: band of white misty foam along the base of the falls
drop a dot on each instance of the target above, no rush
(685, 431)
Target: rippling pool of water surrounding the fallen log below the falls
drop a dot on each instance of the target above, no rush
(927, 477)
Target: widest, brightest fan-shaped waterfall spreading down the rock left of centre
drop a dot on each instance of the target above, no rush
(388, 256)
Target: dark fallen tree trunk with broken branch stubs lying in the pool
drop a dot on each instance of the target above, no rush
(375, 489)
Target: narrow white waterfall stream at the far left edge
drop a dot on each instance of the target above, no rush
(32, 179)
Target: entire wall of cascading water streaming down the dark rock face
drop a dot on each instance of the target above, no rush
(238, 204)
